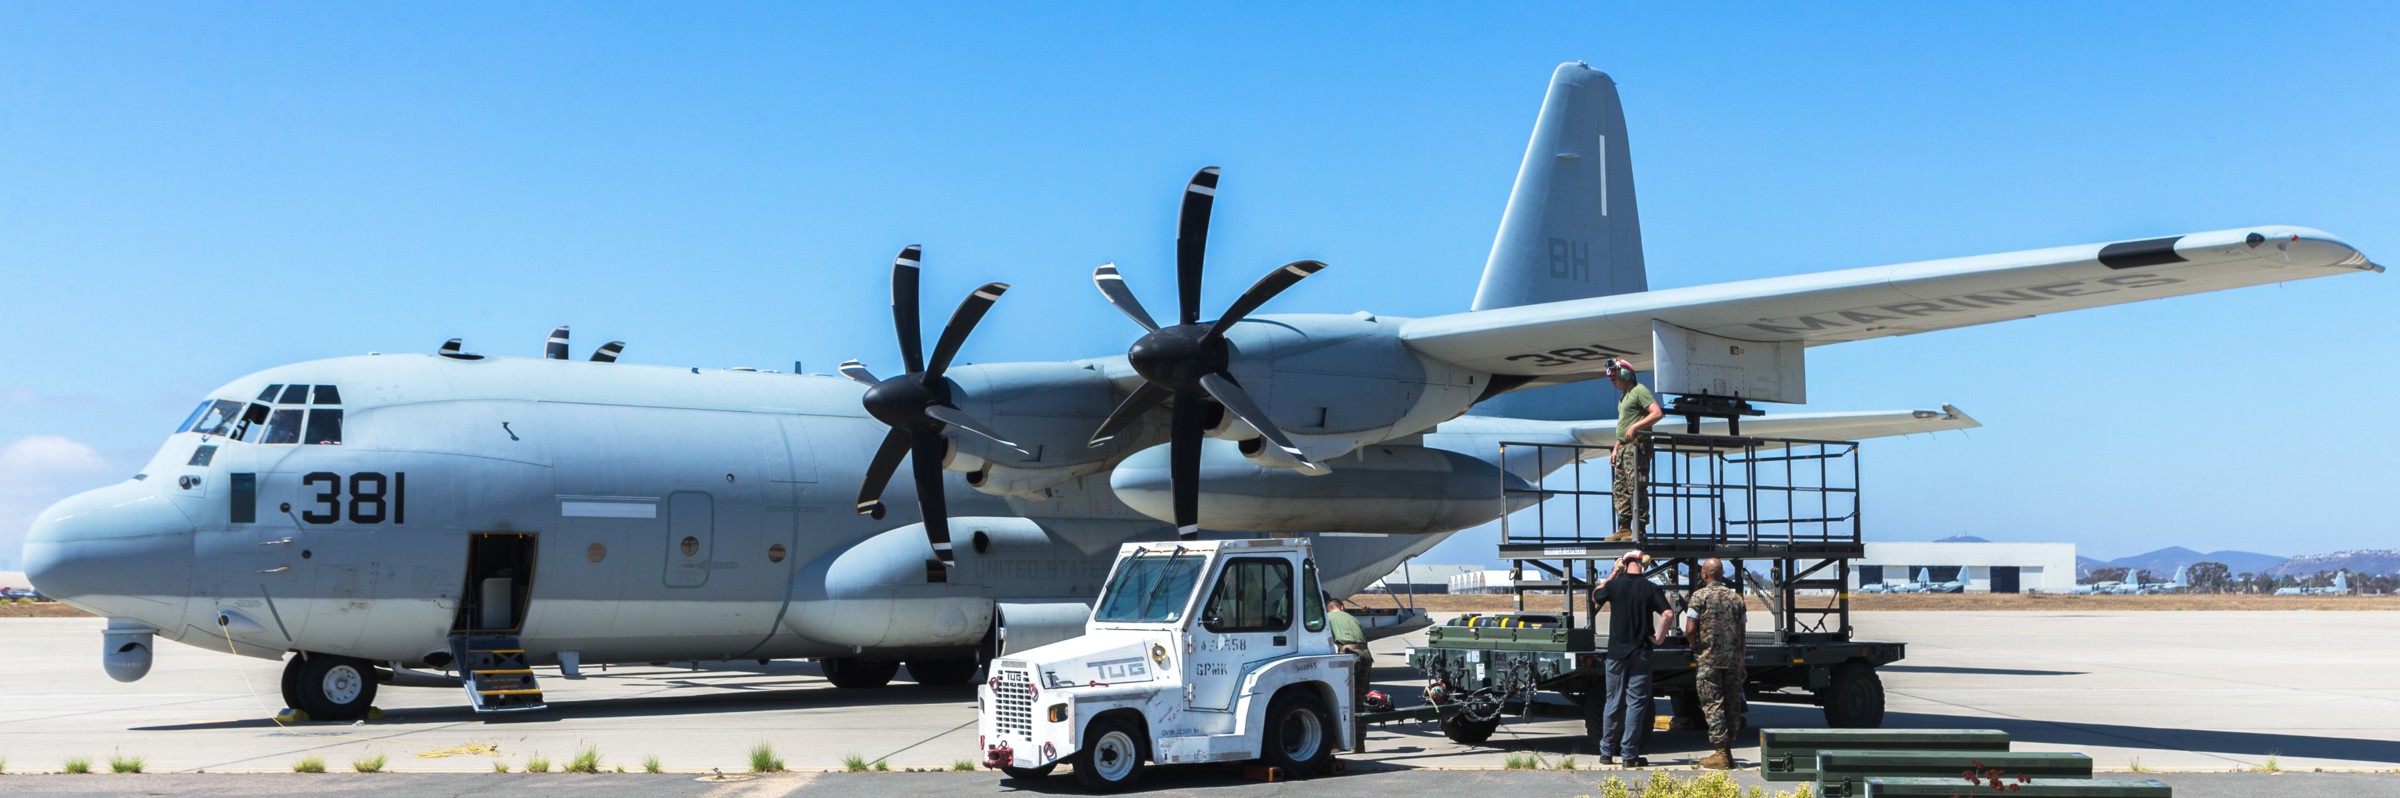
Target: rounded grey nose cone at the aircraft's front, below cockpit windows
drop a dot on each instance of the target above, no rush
(119, 552)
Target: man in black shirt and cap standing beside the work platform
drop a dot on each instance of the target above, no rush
(1638, 621)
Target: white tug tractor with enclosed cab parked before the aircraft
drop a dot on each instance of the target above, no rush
(1196, 653)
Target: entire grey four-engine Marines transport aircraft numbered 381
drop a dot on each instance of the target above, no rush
(383, 516)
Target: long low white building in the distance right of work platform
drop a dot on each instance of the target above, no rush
(1986, 568)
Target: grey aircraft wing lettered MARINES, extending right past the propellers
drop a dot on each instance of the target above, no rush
(1878, 302)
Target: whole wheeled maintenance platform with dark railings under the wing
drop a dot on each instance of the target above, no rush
(1789, 506)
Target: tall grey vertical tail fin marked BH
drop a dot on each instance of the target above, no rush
(1571, 227)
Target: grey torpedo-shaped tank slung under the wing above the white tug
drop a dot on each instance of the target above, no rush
(1384, 489)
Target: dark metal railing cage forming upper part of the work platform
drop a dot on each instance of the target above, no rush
(1784, 504)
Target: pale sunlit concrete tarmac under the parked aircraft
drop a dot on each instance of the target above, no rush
(2154, 691)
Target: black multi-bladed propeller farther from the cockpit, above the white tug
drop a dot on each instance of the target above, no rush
(1189, 362)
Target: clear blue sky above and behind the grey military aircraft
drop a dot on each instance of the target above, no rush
(198, 191)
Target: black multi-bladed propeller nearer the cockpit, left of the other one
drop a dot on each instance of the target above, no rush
(918, 405)
